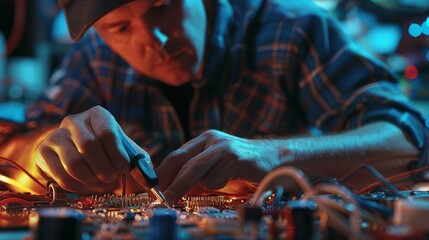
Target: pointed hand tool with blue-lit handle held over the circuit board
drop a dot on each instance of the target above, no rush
(142, 171)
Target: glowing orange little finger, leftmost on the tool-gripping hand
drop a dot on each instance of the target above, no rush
(50, 163)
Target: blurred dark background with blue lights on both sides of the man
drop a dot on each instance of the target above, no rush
(34, 36)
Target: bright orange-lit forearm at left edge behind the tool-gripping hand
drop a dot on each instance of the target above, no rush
(21, 151)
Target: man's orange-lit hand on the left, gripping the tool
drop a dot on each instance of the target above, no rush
(85, 153)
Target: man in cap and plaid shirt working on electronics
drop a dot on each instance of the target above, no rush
(219, 93)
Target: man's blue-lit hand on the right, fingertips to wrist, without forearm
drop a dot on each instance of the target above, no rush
(215, 162)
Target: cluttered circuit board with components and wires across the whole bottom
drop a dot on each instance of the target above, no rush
(322, 210)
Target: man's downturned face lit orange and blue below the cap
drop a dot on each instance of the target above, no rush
(165, 42)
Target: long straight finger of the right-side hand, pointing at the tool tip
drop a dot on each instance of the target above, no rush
(192, 172)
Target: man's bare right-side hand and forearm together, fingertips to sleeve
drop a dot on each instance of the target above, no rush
(219, 161)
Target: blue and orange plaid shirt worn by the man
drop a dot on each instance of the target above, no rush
(274, 70)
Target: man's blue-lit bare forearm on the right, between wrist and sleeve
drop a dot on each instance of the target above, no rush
(380, 144)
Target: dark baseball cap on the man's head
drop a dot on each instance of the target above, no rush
(81, 14)
